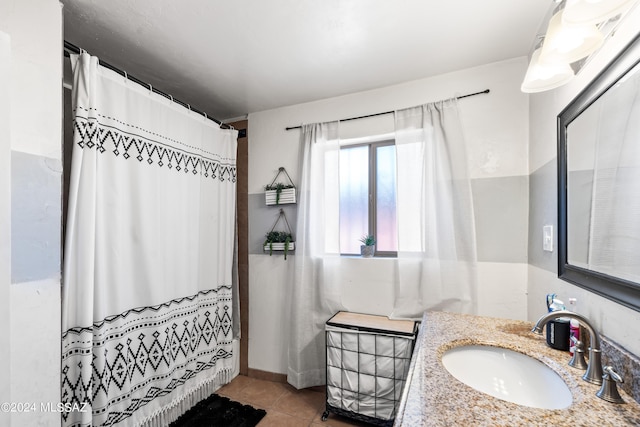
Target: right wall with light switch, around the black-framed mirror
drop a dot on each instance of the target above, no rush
(611, 319)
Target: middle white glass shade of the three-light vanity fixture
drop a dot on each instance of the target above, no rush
(569, 43)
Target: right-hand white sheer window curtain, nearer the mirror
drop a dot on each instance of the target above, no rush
(436, 229)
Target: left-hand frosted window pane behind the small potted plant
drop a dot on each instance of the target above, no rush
(354, 198)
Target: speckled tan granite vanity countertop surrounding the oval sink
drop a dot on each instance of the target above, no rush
(433, 397)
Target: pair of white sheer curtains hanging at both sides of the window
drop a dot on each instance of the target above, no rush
(436, 264)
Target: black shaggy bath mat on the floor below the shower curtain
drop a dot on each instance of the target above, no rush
(219, 411)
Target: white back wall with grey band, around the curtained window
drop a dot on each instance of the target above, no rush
(496, 128)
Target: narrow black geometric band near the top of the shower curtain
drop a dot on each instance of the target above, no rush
(105, 139)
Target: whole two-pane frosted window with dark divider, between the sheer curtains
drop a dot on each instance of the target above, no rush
(368, 197)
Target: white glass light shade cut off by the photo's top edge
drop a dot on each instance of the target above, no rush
(593, 11)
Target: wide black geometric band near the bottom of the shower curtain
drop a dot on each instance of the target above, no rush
(134, 351)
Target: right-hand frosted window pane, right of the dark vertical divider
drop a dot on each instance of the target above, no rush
(386, 199)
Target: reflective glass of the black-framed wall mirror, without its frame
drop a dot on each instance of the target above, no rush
(603, 182)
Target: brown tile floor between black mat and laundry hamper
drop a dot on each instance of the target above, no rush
(285, 406)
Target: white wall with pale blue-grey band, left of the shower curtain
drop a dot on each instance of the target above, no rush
(32, 153)
